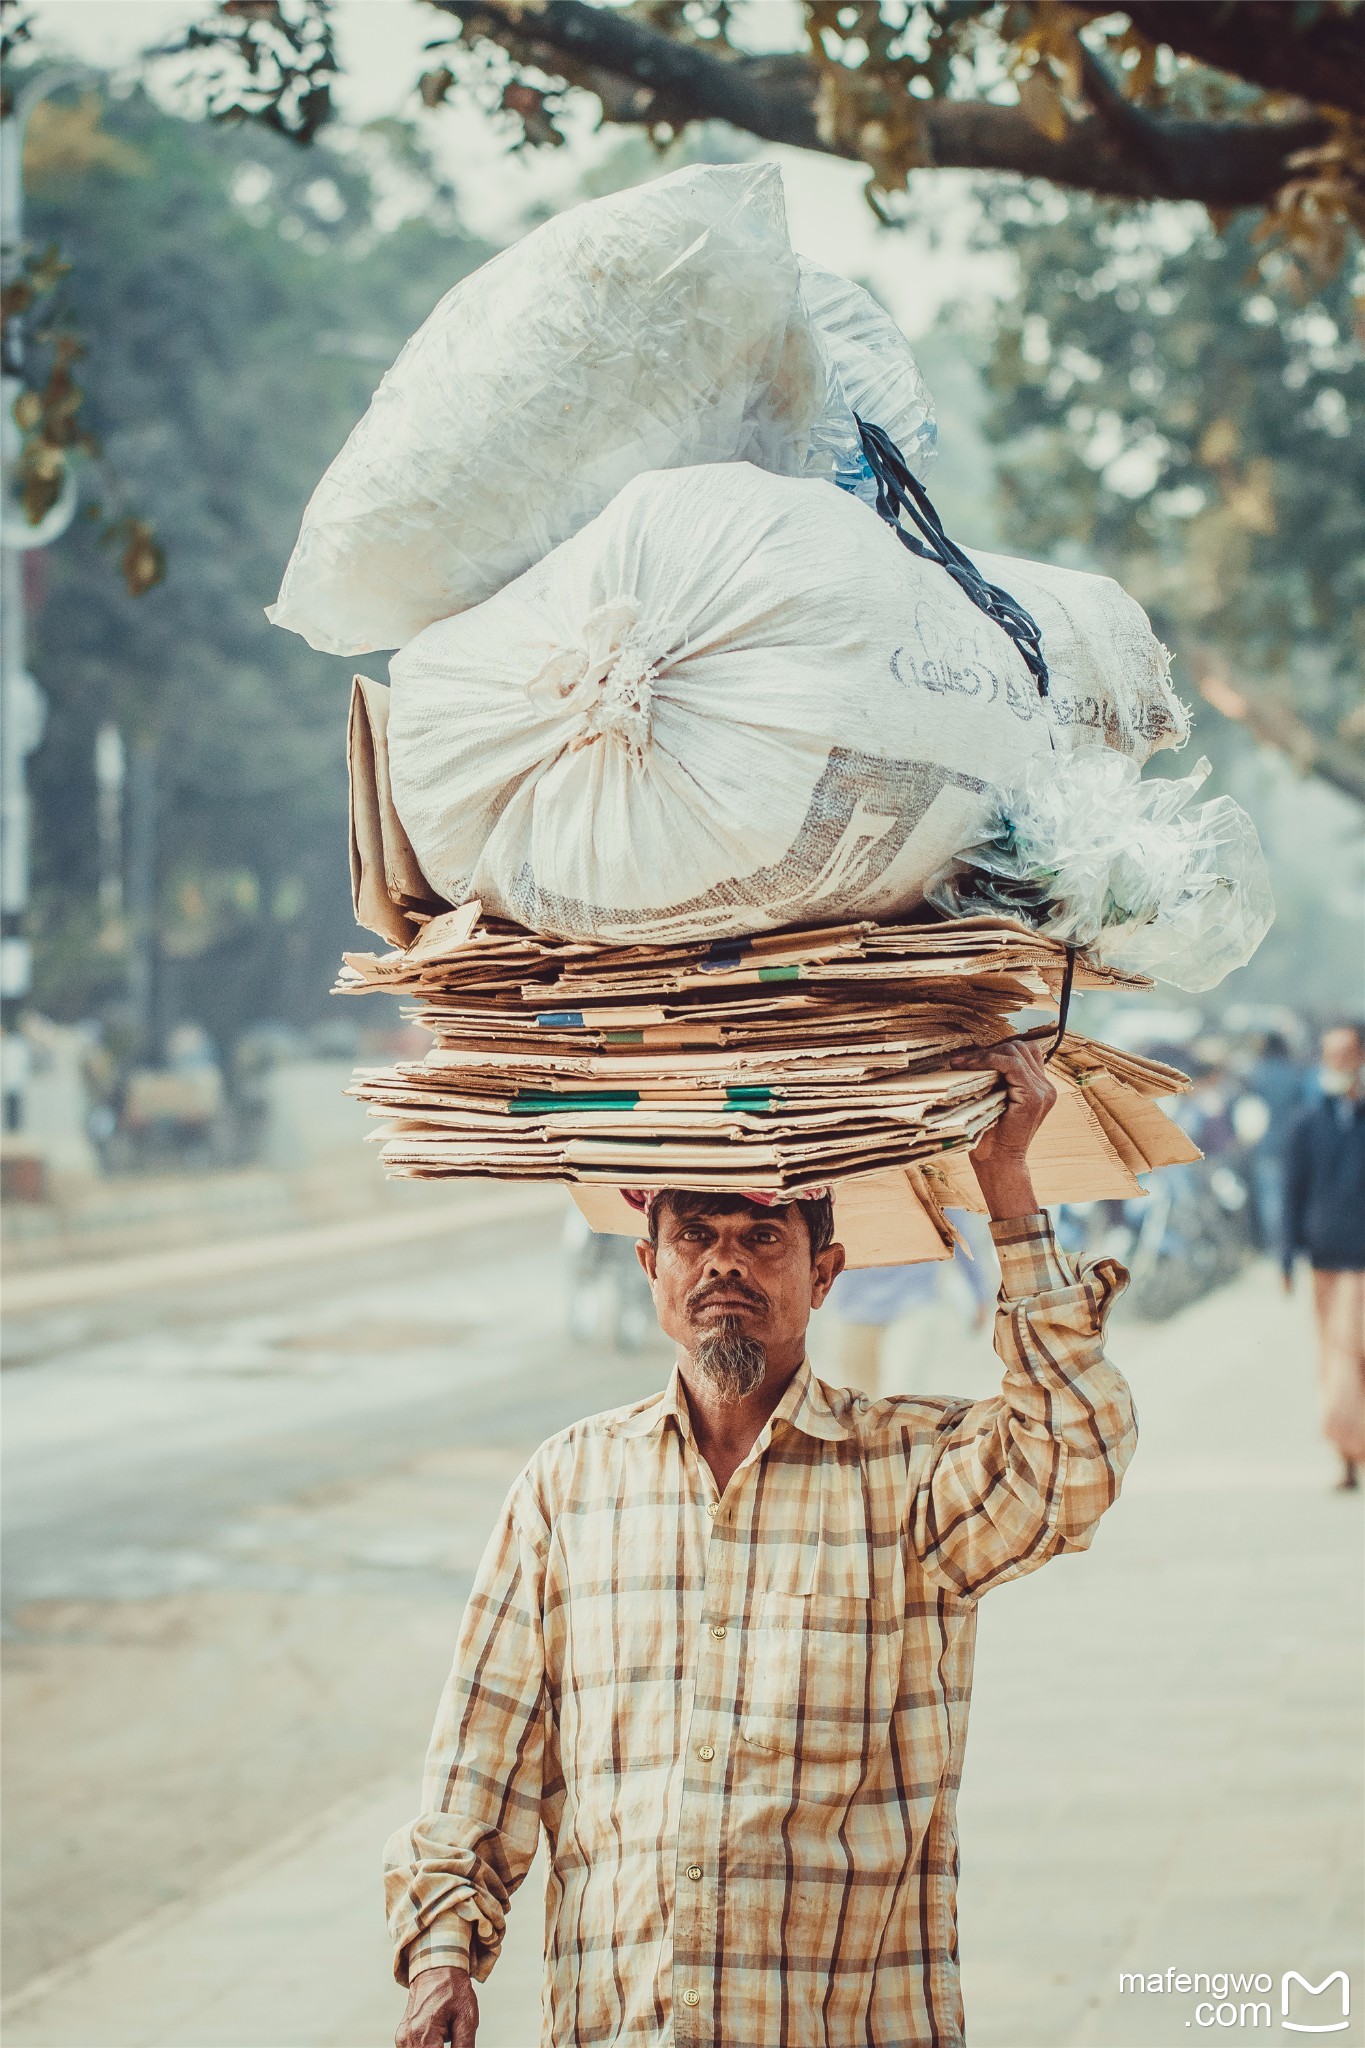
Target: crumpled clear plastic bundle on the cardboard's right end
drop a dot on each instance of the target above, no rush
(1090, 853)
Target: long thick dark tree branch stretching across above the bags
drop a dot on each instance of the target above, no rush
(648, 79)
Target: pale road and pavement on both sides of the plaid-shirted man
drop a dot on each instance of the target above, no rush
(243, 1521)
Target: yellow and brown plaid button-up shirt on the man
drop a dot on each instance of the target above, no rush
(742, 1719)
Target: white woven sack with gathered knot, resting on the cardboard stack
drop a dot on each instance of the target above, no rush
(732, 701)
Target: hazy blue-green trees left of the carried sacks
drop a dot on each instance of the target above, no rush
(243, 304)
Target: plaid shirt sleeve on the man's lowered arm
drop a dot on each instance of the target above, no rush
(449, 1877)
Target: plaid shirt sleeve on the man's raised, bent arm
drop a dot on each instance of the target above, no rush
(1026, 1476)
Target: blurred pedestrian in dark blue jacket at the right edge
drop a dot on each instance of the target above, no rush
(1325, 1218)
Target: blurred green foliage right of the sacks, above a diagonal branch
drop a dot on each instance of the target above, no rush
(1204, 443)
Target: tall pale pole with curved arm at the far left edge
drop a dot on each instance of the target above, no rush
(21, 701)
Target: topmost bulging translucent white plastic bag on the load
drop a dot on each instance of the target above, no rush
(654, 329)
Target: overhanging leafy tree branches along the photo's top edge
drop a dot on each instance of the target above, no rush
(1243, 103)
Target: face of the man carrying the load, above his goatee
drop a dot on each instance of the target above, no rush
(746, 1273)
